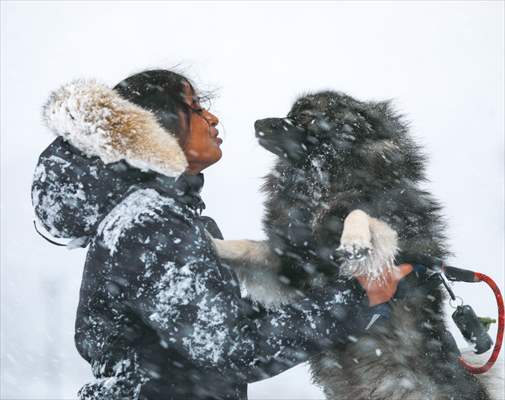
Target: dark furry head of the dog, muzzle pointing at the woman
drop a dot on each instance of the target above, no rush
(342, 131)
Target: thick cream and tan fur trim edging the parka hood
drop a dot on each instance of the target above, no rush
(99, 122)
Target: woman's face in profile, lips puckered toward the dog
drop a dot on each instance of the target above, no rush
(202, 142)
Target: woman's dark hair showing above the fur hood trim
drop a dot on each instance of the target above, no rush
(161, 92)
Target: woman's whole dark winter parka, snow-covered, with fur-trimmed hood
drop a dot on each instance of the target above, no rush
(159, 316)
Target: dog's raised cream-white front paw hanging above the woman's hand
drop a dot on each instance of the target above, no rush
(368, 246)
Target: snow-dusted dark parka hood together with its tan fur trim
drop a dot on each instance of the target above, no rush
(105, 145)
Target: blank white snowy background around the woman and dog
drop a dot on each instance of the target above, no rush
(442, 63)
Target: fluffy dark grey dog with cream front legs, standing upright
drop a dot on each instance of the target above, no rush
(341, 158)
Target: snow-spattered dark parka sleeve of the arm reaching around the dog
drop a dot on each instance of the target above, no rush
(175, 283)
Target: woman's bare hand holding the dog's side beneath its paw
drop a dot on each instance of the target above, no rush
(382, 290)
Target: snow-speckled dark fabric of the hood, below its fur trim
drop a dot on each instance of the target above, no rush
(72, 193)
